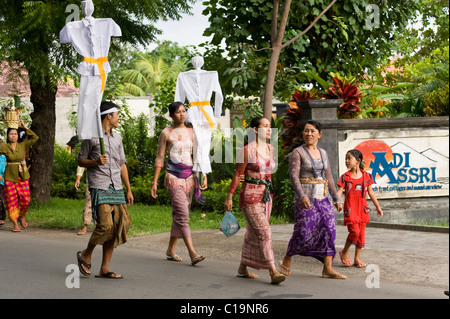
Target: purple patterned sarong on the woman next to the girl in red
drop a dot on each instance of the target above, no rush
(314, 231)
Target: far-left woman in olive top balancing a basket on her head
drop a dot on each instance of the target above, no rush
(17, 188)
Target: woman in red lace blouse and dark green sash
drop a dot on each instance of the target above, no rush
(256, 162)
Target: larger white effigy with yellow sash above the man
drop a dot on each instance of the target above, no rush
(91, 38)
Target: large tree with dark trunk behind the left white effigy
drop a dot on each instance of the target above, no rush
(29, 38)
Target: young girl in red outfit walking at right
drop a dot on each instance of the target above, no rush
(356, 183)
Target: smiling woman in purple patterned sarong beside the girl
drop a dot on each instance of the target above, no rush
(315, 226)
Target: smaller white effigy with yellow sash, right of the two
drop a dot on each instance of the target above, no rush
(197, 86)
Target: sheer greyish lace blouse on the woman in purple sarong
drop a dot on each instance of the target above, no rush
(303, 169)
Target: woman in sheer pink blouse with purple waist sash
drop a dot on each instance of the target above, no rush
(178, 141)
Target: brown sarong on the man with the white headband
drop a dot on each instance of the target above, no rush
(113, 224)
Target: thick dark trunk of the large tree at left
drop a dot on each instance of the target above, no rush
(43, 116)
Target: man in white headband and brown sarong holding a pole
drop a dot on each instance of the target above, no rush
(106, 174)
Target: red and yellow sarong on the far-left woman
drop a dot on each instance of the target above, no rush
(17, 198)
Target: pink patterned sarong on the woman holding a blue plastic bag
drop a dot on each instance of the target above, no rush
(257, 248)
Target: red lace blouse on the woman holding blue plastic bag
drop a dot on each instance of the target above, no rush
(250, 163)
